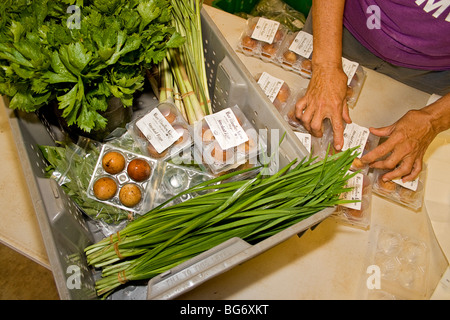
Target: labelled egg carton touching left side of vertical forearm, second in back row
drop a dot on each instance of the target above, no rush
(295, 53)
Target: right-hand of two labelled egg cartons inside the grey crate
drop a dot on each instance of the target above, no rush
(226, 139)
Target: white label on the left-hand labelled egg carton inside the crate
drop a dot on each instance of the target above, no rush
(158, 130)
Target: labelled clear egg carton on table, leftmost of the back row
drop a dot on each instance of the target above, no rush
(262, 38)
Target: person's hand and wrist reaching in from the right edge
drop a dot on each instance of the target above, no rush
(408, 140)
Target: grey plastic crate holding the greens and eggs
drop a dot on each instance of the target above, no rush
(66, 231)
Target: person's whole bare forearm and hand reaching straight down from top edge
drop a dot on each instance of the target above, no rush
(326, 93)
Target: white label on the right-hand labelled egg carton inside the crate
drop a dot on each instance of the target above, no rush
(226, 129)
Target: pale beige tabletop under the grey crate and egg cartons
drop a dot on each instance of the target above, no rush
(328, 262)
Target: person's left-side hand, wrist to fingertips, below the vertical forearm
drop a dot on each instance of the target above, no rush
(325, 98)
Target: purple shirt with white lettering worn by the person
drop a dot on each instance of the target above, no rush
(407, 33)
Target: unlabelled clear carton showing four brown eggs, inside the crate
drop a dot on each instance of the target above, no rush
(122, 179)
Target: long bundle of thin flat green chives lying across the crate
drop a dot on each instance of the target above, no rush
(252, 209)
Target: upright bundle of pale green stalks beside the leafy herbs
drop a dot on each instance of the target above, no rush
(182, 73)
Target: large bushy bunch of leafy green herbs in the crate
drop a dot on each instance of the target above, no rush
(43, 60)
